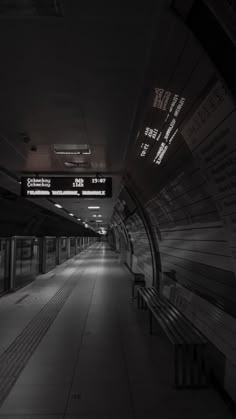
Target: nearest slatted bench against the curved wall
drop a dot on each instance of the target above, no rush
(189, 345)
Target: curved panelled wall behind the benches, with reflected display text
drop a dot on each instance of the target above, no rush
(188, 193)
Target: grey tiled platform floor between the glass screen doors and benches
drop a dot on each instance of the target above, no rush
(96, 359)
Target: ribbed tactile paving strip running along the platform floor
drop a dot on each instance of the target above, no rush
(16, 356)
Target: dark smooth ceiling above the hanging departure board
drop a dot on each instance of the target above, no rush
(73, 77)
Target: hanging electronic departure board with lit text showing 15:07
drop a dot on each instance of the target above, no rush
(66, 187)
